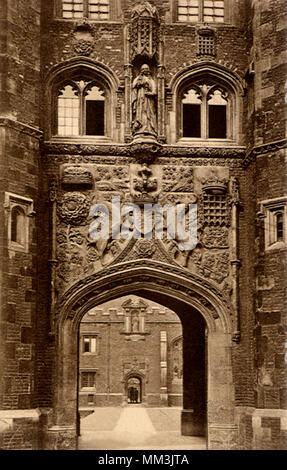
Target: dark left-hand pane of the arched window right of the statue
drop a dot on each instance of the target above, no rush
(191, 114)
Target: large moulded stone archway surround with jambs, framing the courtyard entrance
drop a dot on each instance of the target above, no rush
(188, 296)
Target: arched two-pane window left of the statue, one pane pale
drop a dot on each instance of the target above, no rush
(80, 109)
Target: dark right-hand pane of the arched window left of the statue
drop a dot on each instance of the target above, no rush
(95, 111)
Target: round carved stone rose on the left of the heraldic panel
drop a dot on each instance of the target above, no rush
(74, 208)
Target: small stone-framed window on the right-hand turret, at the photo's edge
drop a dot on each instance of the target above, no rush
(275, 219)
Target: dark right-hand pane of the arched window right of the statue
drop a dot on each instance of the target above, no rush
(217, 115)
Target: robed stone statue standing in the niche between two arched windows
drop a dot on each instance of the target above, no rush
(144, 103)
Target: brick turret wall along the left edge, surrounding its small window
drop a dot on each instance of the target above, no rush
(19, 163)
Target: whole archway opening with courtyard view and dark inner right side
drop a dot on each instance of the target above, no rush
(142, 375)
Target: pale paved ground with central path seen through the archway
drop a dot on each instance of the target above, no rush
(135, 427)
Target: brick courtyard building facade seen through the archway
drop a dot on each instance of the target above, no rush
(121, 354)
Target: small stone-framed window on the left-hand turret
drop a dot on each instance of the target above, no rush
(19, 210)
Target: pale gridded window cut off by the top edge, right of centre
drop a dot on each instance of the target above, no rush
(207, 11)
